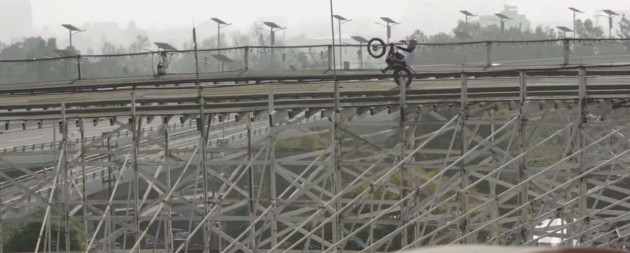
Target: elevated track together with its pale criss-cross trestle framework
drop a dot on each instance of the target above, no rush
(302, 96)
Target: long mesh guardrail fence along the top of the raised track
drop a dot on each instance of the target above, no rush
(456, 55)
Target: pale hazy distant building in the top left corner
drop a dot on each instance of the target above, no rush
(16, 20)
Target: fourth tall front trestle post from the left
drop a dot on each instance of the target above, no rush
(272, 167)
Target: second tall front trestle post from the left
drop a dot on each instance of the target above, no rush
(135, 136)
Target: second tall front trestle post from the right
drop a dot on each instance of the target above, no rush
(528, 229)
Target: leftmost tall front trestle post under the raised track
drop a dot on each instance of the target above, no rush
(65, 187)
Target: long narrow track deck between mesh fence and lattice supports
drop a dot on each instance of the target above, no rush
(290, 95)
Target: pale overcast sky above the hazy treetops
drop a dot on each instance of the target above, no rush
(304, 16)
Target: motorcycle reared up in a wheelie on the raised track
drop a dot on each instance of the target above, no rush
(402, 72)
